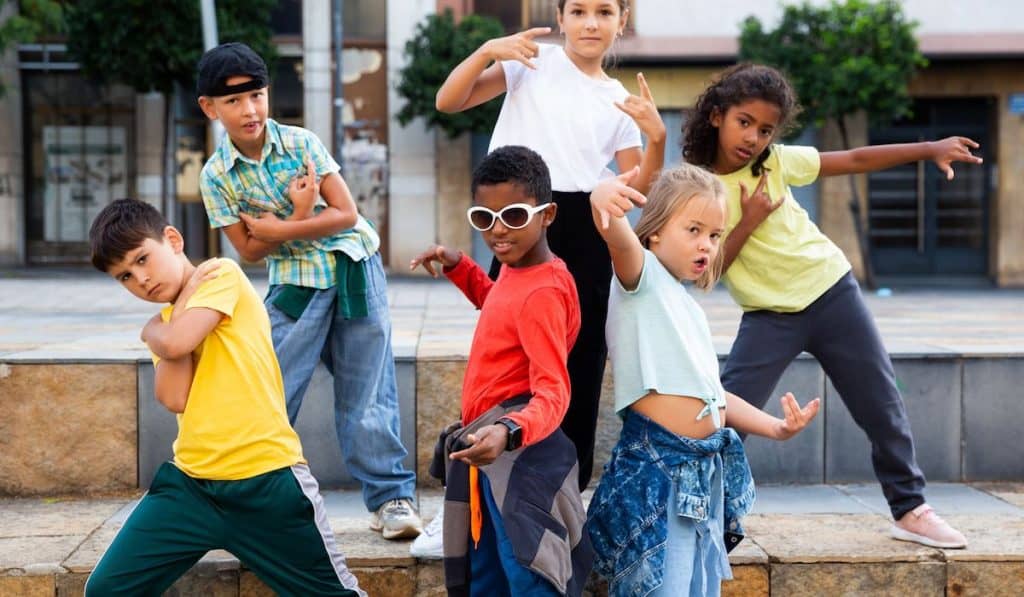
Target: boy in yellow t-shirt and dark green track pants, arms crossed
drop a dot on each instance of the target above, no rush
(238, 481)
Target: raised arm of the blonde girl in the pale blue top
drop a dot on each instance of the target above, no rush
(610, 201)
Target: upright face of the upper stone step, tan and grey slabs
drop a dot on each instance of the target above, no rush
(79, 428)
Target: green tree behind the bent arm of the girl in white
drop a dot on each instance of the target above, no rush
(435, 52)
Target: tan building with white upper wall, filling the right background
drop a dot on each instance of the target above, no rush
(920, 227)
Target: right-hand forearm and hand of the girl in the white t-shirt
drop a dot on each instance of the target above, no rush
(644, 111)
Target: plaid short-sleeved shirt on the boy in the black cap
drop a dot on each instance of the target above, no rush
(231, 183)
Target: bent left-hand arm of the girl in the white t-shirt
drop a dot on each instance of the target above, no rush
(481, 77)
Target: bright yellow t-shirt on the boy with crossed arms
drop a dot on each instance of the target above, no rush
(235, 425)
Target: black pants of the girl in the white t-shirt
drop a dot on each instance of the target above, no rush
(575, 239)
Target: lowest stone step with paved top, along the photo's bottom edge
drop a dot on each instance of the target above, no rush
(809, 540)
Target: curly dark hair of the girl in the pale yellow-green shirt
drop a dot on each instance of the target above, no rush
(736, 86)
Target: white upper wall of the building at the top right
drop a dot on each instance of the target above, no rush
(722, 18)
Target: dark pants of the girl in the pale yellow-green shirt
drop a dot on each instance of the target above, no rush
(840, 332)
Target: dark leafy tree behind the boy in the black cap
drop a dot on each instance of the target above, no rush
(154, 46)
